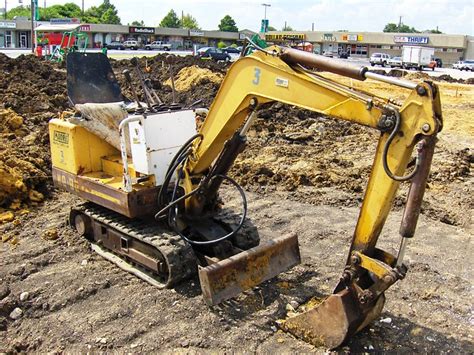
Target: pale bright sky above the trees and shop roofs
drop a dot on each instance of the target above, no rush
(450, 16)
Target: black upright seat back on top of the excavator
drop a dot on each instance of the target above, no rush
(90, 79)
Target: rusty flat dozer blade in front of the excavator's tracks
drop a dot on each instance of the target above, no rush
(229, 277)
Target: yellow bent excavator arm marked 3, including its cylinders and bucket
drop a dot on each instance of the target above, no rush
(282, 74)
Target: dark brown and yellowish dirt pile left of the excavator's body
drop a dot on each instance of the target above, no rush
(31, 93)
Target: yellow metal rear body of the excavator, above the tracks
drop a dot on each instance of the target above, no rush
(89, 167)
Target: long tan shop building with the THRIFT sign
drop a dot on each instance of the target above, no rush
(450, 48)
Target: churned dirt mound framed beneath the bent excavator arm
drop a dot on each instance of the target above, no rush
(292, 149)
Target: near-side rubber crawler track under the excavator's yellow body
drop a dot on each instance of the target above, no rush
(178, 254)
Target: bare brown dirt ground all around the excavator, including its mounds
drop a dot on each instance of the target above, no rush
(304, 173)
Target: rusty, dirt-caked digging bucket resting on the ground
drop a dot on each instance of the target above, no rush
(333, 321)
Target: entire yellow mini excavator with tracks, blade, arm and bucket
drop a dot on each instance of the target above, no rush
(150, 179)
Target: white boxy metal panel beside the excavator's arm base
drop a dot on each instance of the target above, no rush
(156, 139)
